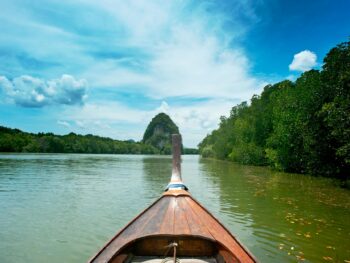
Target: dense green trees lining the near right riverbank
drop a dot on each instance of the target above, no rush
(300, 126)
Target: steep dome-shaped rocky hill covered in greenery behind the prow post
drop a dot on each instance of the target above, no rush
(159, 131)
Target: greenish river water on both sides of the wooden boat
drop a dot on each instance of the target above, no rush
(64, 207)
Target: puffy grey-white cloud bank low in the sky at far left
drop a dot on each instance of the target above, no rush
(28, 91)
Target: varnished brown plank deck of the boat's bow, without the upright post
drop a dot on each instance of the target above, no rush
(175, 213)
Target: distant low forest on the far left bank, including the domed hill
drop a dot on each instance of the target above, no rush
(14, 140)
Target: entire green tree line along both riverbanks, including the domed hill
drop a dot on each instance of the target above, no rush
(300, 126)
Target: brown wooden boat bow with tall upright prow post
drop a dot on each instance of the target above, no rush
(174, 228)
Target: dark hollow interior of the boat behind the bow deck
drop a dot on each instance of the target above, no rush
(161, 249)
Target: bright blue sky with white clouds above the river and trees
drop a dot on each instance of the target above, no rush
(108, 67)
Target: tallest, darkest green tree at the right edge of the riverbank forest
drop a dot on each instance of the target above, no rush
(336, 111)
